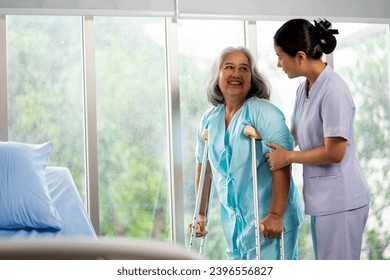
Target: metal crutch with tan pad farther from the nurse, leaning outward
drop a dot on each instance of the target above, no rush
(200, 192)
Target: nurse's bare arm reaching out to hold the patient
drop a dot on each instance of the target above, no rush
(332, 151)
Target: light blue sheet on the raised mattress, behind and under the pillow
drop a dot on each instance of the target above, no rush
(63, 191)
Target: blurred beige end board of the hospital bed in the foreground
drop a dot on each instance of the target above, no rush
(90, 249)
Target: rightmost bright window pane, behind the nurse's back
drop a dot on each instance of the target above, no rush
(362, 59)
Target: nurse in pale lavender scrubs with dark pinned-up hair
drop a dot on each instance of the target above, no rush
(335, 191)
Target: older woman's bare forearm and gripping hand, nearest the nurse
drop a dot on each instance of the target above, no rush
(273, 222)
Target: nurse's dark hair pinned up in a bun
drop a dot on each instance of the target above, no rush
(300, 35)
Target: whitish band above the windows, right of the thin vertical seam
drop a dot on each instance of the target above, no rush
(363, 10)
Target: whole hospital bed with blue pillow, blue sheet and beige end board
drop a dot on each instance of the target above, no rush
(43, 217)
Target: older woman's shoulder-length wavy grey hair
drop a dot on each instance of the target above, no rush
(259, 85)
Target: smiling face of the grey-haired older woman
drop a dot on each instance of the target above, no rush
(235, 75)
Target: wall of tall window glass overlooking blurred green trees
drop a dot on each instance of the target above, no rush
(45, 92)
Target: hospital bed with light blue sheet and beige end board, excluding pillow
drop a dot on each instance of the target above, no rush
(77, 239)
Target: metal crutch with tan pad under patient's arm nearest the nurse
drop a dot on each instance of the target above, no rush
(252, 133)
